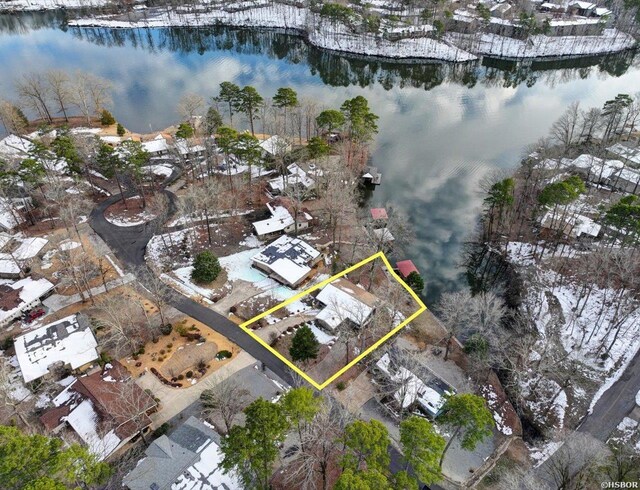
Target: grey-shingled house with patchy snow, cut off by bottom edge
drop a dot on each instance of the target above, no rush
(187, 459)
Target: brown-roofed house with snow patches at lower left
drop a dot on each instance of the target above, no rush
(105, 409)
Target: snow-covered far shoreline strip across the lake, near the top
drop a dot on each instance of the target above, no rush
(323, 34)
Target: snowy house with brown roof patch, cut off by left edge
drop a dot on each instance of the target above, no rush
(20, 296)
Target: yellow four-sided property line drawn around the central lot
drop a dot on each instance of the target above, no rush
(379, 255)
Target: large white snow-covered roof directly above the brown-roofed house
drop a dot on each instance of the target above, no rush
(69, 341)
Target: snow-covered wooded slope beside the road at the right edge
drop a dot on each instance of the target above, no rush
(582, 325)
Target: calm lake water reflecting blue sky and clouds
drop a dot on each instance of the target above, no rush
(442, 127)
